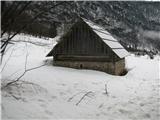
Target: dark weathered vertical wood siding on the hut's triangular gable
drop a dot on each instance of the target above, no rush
(82, 41)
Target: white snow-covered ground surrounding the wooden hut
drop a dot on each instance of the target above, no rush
(50, 92)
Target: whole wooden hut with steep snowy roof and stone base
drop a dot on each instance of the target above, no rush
(89, 46)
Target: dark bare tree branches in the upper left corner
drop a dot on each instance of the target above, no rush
(10, 16)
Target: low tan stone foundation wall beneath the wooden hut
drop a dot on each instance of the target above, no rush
(109, 67)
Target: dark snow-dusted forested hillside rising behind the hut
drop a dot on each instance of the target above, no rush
(134, 24)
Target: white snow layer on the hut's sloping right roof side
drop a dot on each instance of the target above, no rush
(108, 39)
